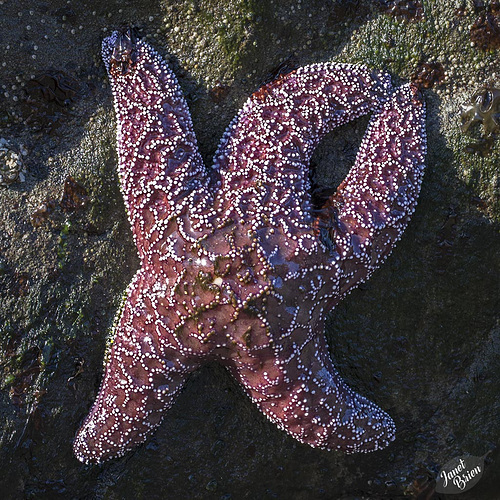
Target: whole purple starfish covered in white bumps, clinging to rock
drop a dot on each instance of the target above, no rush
(236, 264)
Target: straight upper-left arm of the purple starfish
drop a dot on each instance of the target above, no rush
(160, 168)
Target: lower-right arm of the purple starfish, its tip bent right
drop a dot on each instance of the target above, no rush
(298, 388)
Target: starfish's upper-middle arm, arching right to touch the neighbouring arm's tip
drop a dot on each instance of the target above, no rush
(263, 157)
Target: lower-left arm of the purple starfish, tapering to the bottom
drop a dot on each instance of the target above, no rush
(145, 372)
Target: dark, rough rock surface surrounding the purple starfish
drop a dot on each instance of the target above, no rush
(421, 338)
